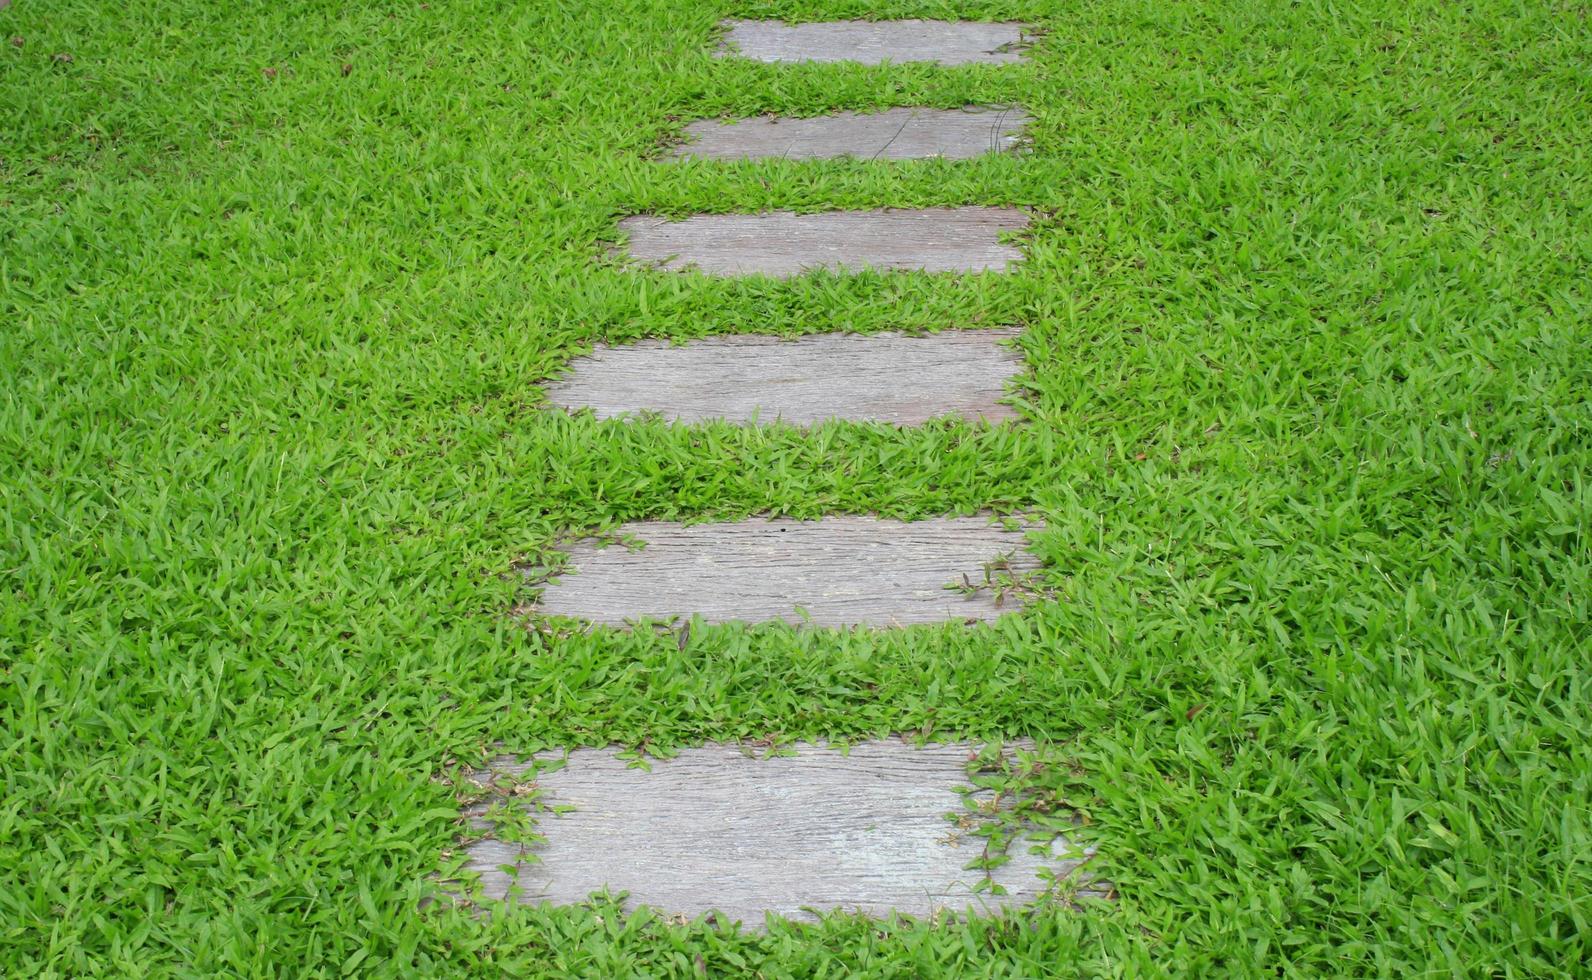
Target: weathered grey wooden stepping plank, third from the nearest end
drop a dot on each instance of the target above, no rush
(880, 378)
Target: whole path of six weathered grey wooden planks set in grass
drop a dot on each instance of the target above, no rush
(881, 830)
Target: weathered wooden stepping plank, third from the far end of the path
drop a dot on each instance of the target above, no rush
(781, 244)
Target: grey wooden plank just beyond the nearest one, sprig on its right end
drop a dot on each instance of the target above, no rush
(837, 572)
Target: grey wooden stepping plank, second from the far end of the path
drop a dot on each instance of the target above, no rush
(899, 134)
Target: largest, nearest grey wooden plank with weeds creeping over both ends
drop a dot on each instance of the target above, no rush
(507, 776)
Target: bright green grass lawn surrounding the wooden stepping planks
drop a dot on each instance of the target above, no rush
(1308, 316)
